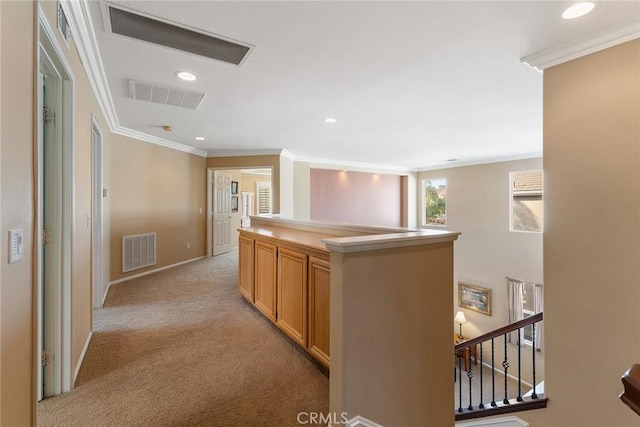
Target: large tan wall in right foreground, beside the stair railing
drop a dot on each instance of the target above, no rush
(592, 237)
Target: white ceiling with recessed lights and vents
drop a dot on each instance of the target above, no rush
(411, 84)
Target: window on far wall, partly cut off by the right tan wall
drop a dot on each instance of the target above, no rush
(526, 201)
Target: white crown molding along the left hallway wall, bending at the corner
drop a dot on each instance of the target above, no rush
(86, 43)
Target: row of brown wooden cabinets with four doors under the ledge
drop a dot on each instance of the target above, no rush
(289, 283)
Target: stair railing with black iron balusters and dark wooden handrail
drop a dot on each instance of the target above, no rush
(503, 400)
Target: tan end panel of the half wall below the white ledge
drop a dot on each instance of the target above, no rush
(390, 319)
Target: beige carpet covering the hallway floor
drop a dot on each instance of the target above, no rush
(181, 348)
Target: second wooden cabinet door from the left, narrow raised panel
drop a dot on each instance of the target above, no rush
(265, 278)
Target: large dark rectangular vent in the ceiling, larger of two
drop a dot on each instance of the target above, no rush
(164, 34)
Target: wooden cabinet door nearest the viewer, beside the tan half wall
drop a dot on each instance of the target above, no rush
(319, 320)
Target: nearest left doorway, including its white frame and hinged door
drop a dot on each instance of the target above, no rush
(54, 214)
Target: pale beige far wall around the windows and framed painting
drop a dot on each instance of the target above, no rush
(478, 206)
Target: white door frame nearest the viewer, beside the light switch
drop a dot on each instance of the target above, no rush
(51, 59)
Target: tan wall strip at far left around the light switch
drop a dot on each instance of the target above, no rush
(17, 98)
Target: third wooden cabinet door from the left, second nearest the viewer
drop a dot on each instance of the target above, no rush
(292, 295)
